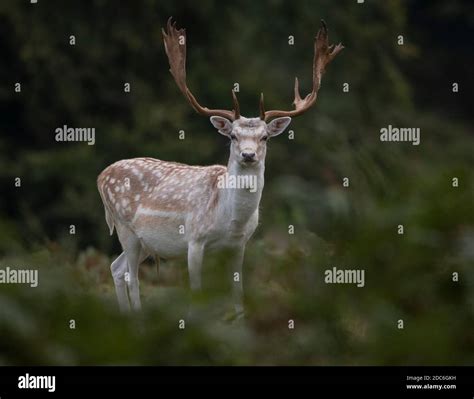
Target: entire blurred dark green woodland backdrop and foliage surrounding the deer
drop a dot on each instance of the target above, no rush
(408, 277)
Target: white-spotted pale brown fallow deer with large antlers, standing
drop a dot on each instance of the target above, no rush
(167, 209)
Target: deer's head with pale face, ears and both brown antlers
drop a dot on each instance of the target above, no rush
(248, 135)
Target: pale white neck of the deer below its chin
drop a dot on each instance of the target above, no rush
(241, 202)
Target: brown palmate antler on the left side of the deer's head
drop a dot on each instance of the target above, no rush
(175, 47)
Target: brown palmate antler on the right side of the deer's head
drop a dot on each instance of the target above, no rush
(323, 55)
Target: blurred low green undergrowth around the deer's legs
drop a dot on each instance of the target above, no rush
(333, 324)
